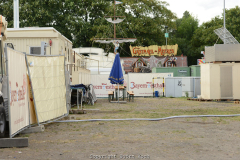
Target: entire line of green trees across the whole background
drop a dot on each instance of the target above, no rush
(83, 20)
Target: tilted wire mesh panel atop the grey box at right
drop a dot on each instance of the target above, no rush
(225, 36)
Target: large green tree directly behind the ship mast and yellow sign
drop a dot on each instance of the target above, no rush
(144, 20)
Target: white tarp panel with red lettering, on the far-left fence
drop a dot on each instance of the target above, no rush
(18, 88)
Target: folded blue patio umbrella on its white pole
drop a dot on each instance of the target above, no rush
(116, 75)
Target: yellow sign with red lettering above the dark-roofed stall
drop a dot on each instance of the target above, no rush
(154, 50)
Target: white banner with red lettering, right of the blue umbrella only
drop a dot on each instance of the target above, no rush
(141, 83)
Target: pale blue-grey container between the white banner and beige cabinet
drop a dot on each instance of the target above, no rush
(182, 86)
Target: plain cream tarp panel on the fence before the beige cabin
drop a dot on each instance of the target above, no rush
(48, 82)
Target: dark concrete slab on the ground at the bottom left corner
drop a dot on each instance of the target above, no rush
(13, 142)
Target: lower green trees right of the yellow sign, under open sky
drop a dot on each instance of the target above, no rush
(192, 38)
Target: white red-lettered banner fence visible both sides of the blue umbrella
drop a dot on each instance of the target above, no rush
(139, 83)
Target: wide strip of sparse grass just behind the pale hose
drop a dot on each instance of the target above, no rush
(159, 108)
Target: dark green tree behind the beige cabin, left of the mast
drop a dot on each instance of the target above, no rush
(73, 18)
